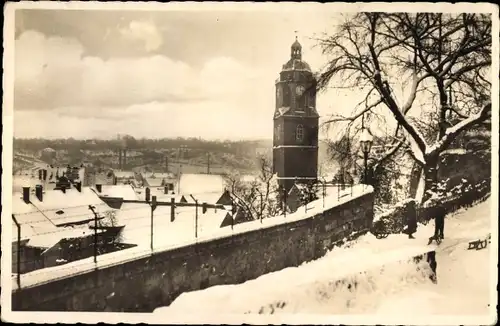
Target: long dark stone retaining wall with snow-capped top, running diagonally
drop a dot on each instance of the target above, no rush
(144, 284)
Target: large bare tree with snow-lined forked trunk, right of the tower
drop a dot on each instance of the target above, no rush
(432, 55)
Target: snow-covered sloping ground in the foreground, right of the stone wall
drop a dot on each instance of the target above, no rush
(379, 281)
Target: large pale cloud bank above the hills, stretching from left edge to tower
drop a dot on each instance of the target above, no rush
(67, 93)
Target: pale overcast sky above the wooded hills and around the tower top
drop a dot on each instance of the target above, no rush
(208, 74)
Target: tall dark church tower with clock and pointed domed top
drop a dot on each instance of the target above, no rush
(295, 141)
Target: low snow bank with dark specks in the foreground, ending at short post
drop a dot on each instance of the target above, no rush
(316, 293)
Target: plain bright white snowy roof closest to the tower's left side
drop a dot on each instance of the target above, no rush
(201, 183)
